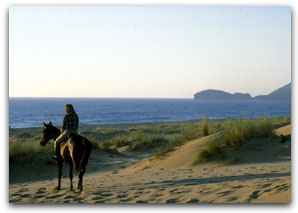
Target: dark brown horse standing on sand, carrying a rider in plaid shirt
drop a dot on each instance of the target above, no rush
(75, 150)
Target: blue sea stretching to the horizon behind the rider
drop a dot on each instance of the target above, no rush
(32, 112)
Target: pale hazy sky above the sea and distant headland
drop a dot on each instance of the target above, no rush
(147, 51)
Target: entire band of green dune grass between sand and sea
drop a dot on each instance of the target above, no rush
(157, 138)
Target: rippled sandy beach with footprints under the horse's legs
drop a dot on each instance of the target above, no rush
(262, 175)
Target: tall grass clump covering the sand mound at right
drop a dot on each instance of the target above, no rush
(236, 133)
